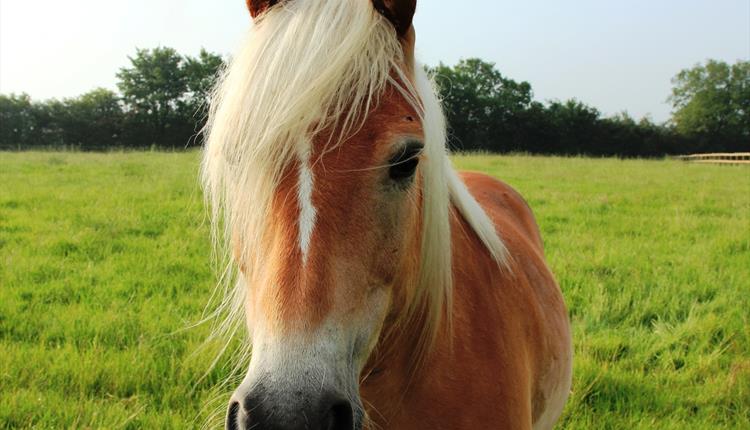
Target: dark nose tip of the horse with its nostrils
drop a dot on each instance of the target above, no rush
(259, 411)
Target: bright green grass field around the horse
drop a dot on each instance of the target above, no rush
(104, 259)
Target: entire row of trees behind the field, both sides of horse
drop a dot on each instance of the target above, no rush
(162, 104)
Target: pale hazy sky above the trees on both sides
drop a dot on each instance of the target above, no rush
(616, 56)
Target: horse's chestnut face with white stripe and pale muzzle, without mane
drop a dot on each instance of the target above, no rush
(342, 244)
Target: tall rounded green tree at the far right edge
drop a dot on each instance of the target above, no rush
(712, 101)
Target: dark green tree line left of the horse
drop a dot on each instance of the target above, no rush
(161, 104)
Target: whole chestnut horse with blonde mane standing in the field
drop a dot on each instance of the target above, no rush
(378, 287)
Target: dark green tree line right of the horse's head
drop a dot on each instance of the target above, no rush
(487, 111)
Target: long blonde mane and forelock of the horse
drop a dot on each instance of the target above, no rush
(307, 66)
